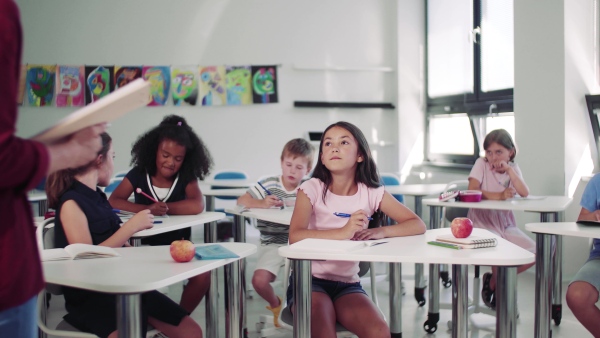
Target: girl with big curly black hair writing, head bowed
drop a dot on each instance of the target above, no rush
(168, 160)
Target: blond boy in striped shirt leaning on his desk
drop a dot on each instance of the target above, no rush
(296, 162)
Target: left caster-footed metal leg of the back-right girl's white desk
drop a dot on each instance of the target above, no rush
(433, 316)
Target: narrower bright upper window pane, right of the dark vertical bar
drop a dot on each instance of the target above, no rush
(497, 51)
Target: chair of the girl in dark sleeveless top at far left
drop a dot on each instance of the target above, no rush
(45, 240)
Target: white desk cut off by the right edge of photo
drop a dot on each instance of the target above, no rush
(545, 278)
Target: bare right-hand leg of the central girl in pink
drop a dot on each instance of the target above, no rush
(359, 315)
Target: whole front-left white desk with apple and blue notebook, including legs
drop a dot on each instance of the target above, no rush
(143, 269)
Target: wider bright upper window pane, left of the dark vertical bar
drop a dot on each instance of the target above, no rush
(449, 49)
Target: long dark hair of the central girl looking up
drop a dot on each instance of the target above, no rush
(366, 171)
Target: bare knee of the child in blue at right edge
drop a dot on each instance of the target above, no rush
(582, 298)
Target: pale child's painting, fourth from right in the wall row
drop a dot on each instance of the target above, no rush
(184, 85)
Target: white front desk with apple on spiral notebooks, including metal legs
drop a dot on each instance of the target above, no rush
(414, 249)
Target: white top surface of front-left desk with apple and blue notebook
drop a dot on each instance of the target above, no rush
(138, 269)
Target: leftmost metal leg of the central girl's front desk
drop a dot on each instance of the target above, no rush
(302, 284)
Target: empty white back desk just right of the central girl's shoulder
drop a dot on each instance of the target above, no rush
(418, 191)
